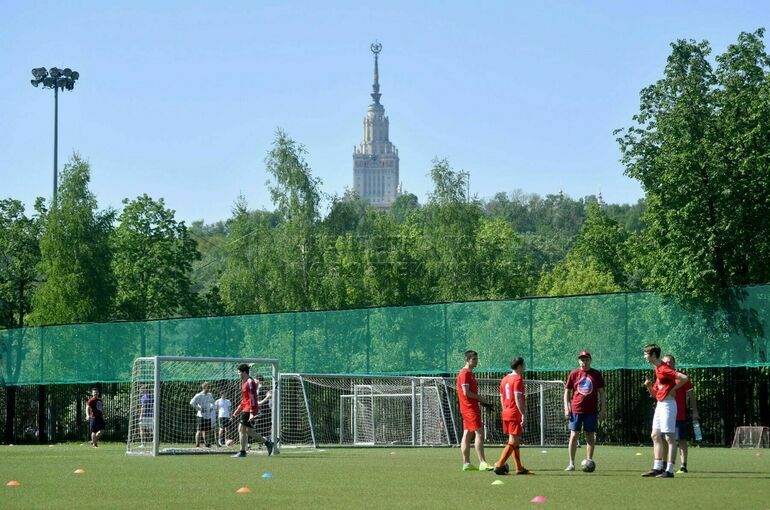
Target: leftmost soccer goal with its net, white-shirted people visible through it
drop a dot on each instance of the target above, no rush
(164, 418)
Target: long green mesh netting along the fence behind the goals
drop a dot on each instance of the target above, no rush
(417, 339)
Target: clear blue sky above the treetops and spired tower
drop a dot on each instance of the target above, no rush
(181, 99)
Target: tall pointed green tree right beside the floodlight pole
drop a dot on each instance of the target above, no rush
(75, 254)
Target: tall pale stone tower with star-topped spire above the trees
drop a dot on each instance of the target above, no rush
(375, 159)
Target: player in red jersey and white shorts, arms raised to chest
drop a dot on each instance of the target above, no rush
(667, 383)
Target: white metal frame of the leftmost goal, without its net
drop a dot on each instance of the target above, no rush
(157, 378)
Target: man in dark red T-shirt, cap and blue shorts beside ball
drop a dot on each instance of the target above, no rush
(585, 402)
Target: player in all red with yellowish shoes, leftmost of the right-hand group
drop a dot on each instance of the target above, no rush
(467, 394)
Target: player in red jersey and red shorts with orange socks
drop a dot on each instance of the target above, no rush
(513, 403)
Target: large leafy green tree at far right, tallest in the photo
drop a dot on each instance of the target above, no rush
(699, 149)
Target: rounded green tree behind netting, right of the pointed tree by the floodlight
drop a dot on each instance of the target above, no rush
(152, 261)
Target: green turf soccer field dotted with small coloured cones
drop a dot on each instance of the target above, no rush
(372, 478)
